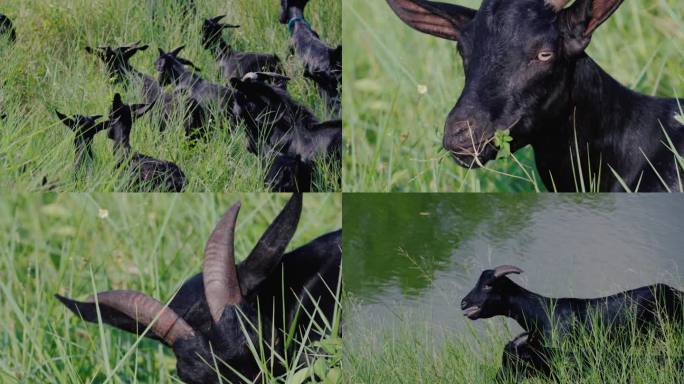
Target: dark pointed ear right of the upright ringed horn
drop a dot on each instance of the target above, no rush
(268, 251)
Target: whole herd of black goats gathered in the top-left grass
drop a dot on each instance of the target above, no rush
(291, 143)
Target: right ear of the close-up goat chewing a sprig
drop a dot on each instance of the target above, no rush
(580, 20)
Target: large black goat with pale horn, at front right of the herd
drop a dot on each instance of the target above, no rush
(277, 125)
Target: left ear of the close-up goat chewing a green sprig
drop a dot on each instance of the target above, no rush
(434, 18)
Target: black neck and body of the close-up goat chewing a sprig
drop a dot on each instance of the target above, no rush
(594, 108)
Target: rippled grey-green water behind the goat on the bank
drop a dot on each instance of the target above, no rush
(414, 256)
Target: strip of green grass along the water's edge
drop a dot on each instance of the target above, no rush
(410, 354)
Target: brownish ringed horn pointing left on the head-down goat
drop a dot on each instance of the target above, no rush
(143, 309)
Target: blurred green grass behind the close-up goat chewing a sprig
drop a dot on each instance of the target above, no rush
(400, 84)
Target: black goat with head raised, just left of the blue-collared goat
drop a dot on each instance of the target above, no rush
(231, 62)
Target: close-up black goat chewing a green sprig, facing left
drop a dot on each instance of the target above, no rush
(526, 71)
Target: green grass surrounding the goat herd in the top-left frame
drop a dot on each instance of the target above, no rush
(49, 69)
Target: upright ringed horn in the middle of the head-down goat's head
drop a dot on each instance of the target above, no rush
(221, 285)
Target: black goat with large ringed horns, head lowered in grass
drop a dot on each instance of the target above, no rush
(202, 323)
